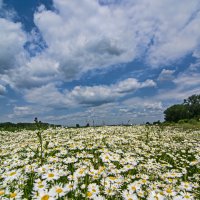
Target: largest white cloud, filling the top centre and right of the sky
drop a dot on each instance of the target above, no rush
(86, 35)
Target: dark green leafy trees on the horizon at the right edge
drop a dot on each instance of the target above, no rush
(181, 113)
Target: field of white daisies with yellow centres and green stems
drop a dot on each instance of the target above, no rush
(134, 162)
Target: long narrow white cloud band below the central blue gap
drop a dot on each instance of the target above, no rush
(86, 95)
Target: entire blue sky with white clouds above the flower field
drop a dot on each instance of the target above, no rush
(97, 61)
